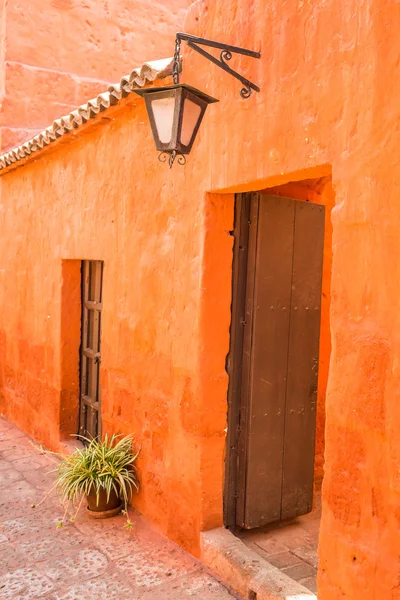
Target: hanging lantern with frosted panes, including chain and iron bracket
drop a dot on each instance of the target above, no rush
(176, 111)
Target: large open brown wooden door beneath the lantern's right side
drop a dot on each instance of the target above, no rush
(275, 392)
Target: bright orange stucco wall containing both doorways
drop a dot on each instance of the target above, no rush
(328, 106)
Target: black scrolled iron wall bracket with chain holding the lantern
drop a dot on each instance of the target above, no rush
(226, 54)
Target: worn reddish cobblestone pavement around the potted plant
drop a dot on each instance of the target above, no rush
(86, 560)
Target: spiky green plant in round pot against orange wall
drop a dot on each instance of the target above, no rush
(103, 472)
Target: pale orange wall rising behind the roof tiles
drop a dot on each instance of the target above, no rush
(57, 54)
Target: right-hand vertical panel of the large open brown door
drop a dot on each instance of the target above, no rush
(301, 395)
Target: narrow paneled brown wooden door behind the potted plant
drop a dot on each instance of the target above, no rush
(90, 398)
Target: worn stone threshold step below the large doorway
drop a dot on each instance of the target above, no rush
(246, 572)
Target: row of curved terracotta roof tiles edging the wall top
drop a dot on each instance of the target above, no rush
(147, 73)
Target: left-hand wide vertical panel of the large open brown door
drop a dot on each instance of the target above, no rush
(268, 353)
